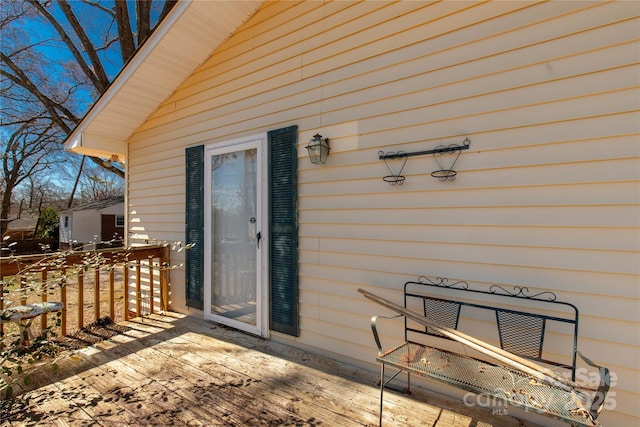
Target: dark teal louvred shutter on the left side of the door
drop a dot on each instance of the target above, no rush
(194, 232)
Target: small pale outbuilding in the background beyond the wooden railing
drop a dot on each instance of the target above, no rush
(93, 225)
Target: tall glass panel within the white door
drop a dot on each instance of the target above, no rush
(234, 235)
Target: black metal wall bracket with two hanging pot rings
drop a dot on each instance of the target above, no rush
(442, 173)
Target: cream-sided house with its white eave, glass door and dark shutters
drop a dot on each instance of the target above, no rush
(214, 112)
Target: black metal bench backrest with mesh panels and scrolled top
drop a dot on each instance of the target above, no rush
(521, 319)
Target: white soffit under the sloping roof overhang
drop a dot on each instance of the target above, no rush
(191, 32)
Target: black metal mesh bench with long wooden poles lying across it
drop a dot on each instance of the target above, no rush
(534, 377)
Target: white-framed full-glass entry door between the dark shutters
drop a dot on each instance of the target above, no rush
(234, 293)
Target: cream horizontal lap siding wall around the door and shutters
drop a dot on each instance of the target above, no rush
(546, 196)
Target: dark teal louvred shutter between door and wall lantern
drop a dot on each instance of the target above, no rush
(283, 227)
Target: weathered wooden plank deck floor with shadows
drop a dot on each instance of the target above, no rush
(175, 370)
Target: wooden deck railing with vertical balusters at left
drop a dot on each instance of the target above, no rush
(67, 277)
